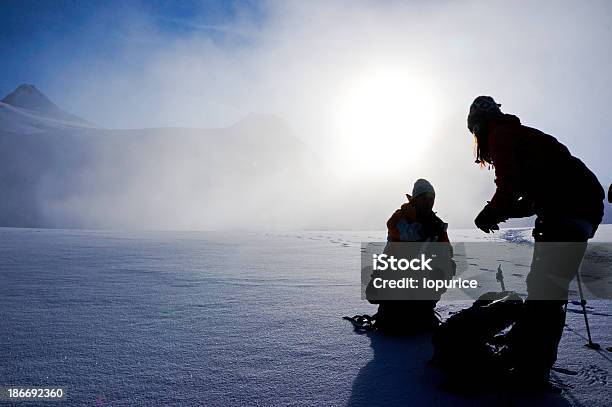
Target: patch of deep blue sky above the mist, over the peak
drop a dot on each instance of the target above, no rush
(38, 39)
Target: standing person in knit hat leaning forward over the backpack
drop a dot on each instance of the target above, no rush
(534, 173)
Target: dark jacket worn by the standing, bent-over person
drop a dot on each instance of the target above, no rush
(535, 166)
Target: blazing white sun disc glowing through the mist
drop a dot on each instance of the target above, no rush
(384, 121)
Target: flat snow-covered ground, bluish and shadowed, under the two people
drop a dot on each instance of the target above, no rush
(221, 319)
